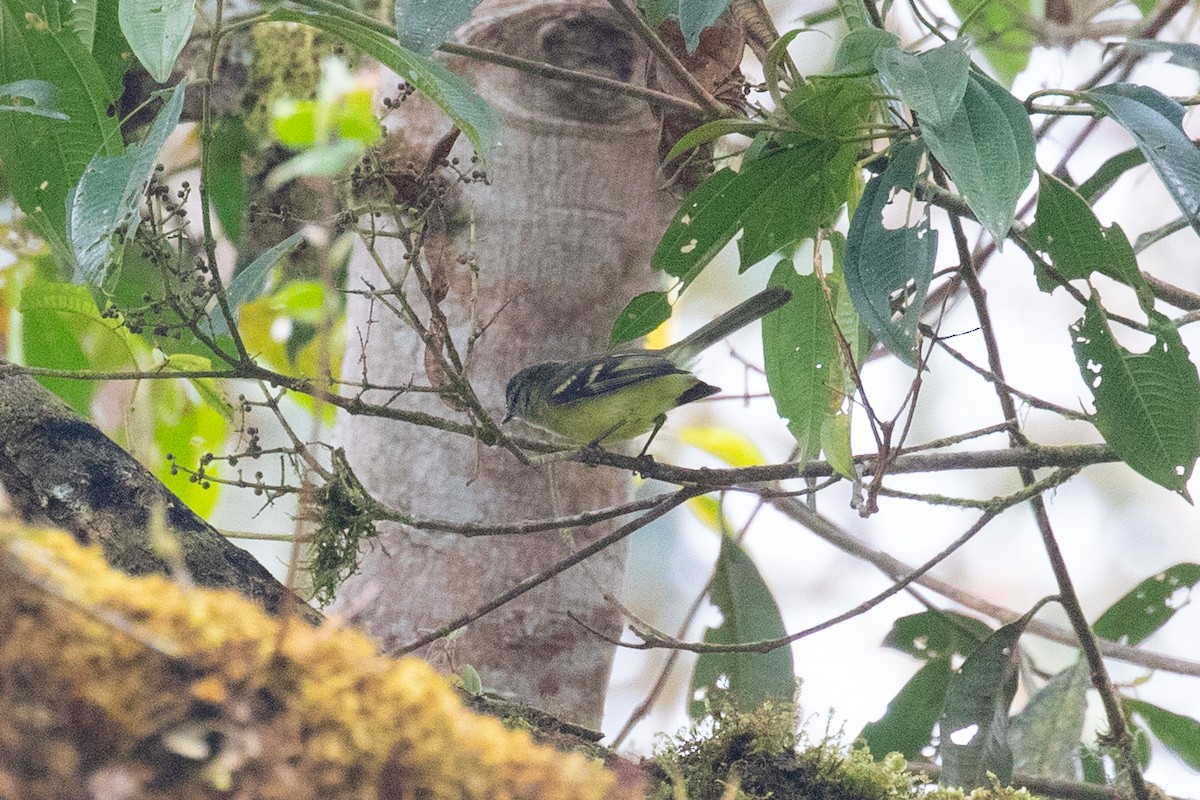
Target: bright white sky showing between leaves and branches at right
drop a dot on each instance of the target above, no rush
(1115, 528)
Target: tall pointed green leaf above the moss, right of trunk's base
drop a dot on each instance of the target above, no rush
(752, 615)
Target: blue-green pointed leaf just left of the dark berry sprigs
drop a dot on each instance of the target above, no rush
(105, 207)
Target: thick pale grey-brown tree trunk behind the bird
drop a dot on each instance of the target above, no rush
(562, 239)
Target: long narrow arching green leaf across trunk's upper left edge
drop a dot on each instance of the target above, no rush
(448, 92)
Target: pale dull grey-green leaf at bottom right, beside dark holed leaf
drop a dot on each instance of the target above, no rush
(1047, 733)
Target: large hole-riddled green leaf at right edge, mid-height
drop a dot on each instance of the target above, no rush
(1148, 406)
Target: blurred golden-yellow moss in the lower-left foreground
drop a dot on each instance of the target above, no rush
(357, 718)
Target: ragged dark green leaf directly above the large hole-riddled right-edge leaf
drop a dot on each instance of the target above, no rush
(1066, 231)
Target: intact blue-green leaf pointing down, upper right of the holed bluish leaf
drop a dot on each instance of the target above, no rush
(987, 148)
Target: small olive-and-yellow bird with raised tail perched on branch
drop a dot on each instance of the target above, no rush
(621, 395)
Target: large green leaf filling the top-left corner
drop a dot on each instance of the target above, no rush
(44, 158)
